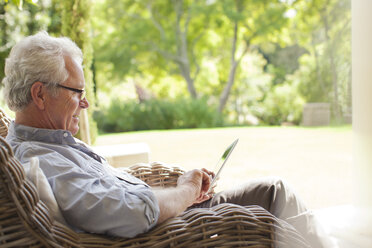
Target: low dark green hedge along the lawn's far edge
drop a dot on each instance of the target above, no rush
(123, 116)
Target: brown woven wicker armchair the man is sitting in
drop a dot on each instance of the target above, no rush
(25, 220)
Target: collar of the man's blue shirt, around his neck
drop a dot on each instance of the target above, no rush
(27, 133)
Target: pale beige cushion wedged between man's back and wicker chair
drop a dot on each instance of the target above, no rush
(37, 177)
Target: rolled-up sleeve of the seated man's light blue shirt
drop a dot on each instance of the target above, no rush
(96, 201)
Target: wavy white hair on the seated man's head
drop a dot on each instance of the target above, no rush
(39, 57)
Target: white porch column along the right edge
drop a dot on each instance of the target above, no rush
(362, 100)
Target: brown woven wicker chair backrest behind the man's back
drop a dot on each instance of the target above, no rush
(22, 212)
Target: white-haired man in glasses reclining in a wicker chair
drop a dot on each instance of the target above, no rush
(44, 85)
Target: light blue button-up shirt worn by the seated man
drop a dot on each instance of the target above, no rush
(92, 196)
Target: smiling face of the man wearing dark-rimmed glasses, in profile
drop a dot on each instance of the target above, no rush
(63, 111)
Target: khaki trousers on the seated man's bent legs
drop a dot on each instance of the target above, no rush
(275, 196)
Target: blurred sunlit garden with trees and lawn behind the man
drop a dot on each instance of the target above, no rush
(208, 71)
